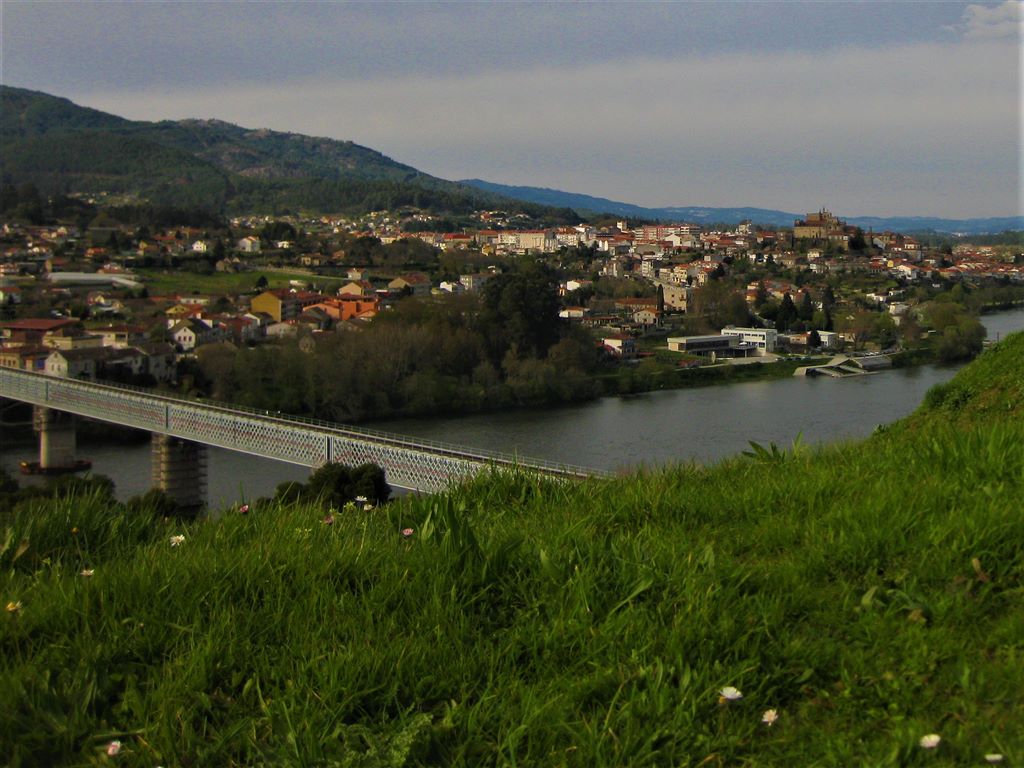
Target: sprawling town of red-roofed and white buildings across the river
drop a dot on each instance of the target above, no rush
(140, 305)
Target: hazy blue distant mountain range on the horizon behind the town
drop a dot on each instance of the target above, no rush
(586, 205)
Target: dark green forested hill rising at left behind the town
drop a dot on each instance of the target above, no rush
(61, 147)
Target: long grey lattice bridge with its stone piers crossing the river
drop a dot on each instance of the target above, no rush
(184, 429)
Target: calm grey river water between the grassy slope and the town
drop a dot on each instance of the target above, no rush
(704, 425)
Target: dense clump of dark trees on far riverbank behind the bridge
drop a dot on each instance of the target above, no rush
(459, 354)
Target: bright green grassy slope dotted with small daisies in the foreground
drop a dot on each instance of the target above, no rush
(870, 594)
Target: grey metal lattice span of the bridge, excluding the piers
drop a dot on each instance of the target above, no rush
(421, 465)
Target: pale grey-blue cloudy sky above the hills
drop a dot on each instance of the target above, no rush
(864, 108)
